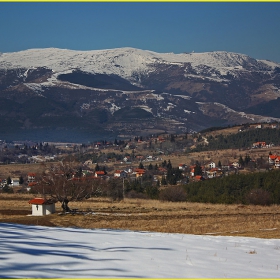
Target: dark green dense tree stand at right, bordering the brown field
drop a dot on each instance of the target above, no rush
(254, 188)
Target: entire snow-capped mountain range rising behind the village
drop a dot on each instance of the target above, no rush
(64, 95)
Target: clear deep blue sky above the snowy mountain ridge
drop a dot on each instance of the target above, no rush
(248, 28)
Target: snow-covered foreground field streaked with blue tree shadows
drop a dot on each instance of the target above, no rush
(45, 252)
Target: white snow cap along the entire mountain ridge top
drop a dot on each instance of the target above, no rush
(122, 61)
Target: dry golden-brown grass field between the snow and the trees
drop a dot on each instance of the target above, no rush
(151, 215)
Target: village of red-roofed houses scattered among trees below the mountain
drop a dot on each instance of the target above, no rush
(144, 159)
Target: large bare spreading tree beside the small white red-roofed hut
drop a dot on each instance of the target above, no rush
(64, 183)
